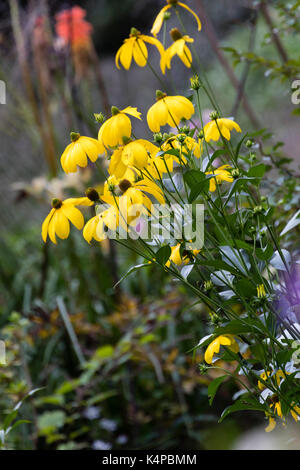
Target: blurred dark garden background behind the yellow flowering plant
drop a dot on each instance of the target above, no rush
(113, 366)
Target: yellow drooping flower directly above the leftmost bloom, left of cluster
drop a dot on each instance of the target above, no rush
(78, 152)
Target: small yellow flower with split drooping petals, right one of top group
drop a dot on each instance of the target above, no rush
(180, 48)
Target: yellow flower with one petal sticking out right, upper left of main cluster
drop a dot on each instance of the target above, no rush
(117, 127)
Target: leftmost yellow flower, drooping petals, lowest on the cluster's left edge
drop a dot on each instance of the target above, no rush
(57, 221)
